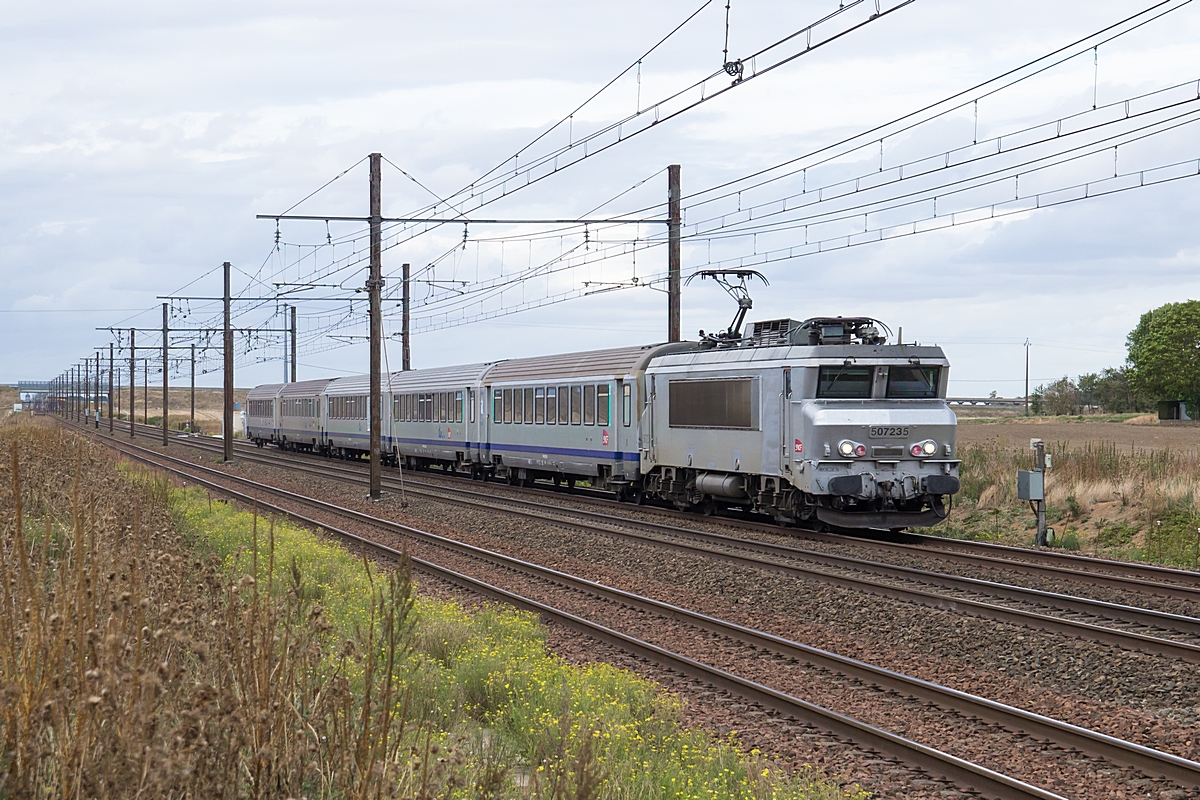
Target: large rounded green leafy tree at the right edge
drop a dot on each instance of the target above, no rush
(1165, 354)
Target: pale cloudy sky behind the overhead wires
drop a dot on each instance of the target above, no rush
(140, 141)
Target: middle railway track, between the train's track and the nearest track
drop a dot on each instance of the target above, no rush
(1173, 636)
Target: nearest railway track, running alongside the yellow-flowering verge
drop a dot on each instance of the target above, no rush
(963, 773)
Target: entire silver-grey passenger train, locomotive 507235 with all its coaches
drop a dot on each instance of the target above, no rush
(806, 422)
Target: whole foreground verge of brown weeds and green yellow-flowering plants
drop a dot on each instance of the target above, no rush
(155, 642)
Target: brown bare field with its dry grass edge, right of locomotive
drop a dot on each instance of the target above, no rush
(1119, 489)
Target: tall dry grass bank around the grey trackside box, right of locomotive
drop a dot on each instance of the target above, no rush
(1108, 501)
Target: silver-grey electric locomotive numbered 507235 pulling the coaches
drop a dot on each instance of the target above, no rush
(807, 420)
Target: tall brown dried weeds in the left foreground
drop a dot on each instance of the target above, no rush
(129, 670)
